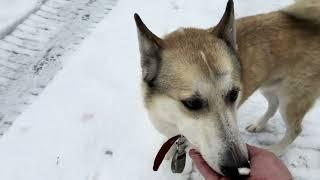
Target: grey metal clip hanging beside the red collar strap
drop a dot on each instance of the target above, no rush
(179, 158)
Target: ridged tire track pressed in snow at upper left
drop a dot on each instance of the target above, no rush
(33, 47)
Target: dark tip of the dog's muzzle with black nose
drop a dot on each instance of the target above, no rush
(232, 161)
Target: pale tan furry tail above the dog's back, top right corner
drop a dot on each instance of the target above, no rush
(305, 9)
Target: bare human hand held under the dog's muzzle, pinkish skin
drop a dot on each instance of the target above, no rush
(264, 165)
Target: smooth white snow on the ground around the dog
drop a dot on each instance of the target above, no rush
(90, 124)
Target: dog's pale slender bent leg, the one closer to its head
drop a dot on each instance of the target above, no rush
(273, 104)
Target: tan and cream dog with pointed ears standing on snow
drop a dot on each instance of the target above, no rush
(195, 79)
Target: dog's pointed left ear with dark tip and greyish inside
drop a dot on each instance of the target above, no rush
(150, 47)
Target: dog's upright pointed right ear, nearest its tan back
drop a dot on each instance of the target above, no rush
(226, 29)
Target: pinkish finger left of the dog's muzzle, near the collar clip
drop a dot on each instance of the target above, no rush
(202, 166)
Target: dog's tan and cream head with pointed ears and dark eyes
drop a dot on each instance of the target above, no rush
(192, 84)
